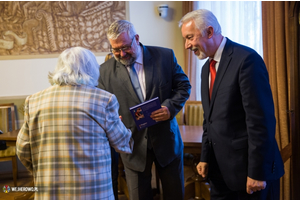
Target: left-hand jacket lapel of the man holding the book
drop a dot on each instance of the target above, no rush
(123, 75)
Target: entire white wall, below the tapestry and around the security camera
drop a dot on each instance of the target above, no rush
(27, 76)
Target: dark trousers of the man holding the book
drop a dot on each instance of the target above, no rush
(171, 176)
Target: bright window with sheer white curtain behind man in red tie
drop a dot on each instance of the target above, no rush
(241, 22)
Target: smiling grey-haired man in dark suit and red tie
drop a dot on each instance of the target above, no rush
(240, 155)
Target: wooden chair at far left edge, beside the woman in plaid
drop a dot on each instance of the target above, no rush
(9, 124)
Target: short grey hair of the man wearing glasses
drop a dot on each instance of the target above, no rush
(118, 27)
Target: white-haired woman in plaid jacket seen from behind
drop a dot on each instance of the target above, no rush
(68, 130)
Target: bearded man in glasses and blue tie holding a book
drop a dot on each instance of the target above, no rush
(159, 75)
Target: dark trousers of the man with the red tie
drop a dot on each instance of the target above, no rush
(220, 191)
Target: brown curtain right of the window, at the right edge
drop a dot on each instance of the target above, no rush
(276, 56)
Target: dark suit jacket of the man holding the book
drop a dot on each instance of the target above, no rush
(164, 79)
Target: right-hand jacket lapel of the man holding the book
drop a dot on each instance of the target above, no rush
(148, 69)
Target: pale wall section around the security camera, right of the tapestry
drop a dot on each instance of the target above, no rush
(156, 31)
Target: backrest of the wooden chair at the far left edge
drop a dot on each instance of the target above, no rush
(8, 117)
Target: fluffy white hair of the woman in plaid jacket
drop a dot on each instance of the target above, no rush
(75, 66)
